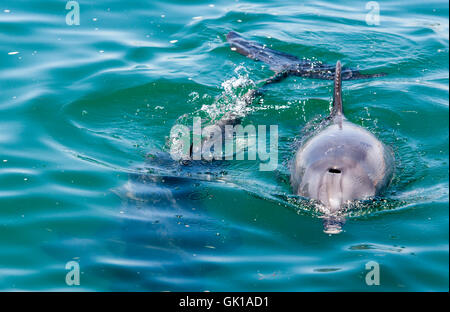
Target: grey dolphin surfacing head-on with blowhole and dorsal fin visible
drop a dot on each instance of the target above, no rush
(341, 163)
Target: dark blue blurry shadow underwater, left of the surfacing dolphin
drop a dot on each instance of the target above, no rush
(166, 224)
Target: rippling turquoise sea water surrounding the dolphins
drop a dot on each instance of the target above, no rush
(86, 112)
